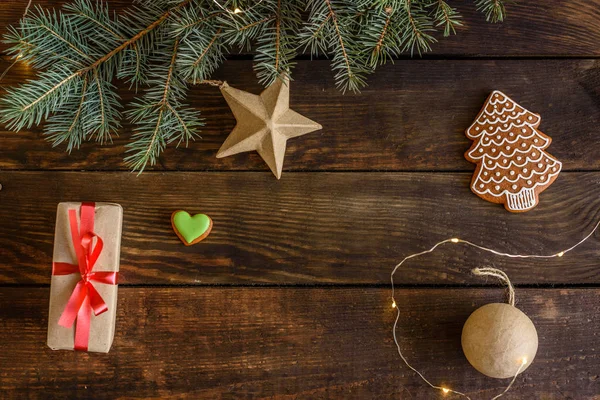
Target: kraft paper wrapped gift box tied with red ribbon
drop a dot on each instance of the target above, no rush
(83, 291)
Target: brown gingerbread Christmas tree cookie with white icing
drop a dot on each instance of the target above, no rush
(512, 166)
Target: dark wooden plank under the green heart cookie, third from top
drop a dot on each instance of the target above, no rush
(326, 228)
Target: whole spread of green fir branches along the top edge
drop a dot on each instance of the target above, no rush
(165, 45)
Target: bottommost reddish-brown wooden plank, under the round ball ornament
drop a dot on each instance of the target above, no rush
(295, 343)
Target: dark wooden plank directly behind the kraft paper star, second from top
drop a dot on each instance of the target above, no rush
(411, 118)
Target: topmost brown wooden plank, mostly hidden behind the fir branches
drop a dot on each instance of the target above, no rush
(534, 27)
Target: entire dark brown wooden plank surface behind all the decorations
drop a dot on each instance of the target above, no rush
(289, 297)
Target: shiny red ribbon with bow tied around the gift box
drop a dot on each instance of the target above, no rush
(85, 297)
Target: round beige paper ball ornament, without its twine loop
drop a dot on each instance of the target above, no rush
(498, 339)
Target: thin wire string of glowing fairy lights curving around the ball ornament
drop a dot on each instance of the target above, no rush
(523, 361)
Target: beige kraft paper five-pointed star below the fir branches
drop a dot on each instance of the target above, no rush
(264, 123)
